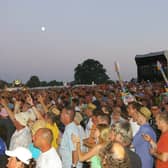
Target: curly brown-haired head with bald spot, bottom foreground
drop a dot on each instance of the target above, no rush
(113, 155)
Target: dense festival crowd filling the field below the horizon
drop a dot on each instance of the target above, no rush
(85, 127)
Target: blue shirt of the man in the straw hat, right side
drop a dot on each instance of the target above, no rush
(142, 147)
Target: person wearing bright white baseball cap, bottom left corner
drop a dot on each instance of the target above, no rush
(19, 158)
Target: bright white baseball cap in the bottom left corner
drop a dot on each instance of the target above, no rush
(23, 154)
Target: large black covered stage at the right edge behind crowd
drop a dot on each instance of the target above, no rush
(147, 66)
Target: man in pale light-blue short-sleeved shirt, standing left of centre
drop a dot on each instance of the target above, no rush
(67, 150)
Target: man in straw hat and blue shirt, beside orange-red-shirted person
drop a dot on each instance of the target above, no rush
(140, 145)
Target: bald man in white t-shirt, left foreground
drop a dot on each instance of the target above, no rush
(49, 157)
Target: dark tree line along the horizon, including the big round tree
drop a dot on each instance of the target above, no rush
(87, 72)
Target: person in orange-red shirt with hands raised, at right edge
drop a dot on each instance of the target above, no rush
(160, 150)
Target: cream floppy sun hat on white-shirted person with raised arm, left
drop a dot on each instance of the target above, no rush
(24, 117)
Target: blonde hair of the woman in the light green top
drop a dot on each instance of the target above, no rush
(104, 130)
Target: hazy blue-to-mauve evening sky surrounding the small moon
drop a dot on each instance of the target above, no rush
(104, 30)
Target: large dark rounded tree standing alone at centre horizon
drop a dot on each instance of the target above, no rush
(90, 70)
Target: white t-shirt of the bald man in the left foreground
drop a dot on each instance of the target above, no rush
(49, 159)
